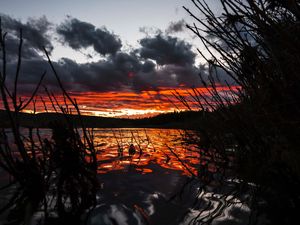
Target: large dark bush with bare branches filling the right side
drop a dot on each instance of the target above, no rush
(256, 44)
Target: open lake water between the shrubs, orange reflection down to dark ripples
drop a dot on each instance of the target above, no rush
(150, 176)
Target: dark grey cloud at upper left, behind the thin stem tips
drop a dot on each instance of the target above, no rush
(34, 31)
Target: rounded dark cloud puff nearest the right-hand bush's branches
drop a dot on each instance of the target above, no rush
(167, 50)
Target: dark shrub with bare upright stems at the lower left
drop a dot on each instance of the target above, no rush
(55, 176)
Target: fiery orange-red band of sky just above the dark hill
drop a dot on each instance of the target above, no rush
(128, 104)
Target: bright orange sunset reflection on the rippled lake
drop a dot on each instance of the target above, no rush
(164, 147)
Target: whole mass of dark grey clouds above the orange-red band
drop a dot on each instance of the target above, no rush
(159, 61)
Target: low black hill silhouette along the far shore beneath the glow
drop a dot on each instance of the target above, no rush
(168, 120)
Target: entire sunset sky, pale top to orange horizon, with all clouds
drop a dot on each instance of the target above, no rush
(116, 57)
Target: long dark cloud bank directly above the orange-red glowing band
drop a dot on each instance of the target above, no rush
(120, 72)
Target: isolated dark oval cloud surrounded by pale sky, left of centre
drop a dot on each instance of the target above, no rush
(78, 34)
